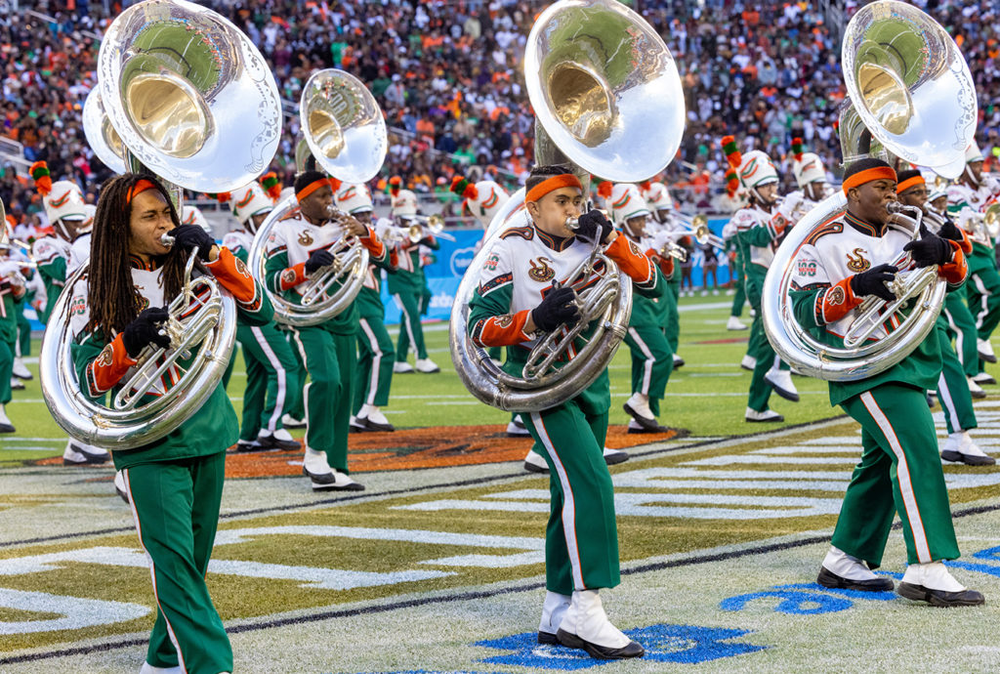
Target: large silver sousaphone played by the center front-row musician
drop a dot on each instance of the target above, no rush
(609, 102)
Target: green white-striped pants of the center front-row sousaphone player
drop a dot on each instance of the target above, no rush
(581, 539)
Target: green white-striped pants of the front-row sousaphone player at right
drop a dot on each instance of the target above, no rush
(900, 471)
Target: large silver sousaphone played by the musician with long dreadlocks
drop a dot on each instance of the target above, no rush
(182, 87)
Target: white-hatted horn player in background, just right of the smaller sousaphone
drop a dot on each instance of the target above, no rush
(406, 286)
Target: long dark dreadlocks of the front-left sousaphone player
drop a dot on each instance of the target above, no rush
(112, 298)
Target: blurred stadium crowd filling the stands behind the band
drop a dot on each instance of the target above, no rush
(447, 74)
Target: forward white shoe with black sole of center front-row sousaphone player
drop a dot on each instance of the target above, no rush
(585, 625)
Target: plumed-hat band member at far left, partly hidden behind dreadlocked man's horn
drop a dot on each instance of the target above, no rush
(67, 213)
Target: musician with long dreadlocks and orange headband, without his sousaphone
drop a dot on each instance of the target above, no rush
(174, 484)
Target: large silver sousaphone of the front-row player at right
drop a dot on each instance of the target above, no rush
(912, 99)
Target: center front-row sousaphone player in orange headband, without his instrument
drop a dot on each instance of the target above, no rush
(514, 304)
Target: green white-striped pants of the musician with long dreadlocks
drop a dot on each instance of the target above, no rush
(176, 509)
